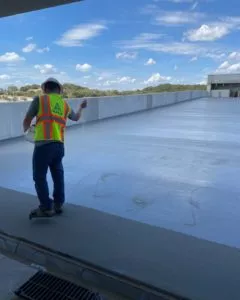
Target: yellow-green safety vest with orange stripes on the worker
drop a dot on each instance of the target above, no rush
(51, 118)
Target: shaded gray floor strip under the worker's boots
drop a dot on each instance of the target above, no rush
(152, 256)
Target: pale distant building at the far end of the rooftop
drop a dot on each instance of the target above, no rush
(224, 85)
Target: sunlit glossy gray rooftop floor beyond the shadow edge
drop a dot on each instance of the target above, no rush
(176, 167)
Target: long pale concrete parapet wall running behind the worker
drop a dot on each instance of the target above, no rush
(12, 114)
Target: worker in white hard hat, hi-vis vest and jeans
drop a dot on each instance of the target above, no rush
(51, 112)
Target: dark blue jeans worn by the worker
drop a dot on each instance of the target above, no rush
(44, 157)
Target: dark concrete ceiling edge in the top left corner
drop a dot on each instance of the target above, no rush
(13, 7)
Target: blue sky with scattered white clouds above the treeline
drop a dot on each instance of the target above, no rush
(125, 45)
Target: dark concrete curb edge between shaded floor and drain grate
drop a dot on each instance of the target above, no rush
(89, 276)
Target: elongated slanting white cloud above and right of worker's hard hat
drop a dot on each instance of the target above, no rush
(78, 34)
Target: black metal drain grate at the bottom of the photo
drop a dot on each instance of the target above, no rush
(45, 286)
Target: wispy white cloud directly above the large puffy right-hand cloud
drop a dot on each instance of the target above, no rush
(177, 17)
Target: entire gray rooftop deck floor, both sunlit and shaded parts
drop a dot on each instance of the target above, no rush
(161, 185)
